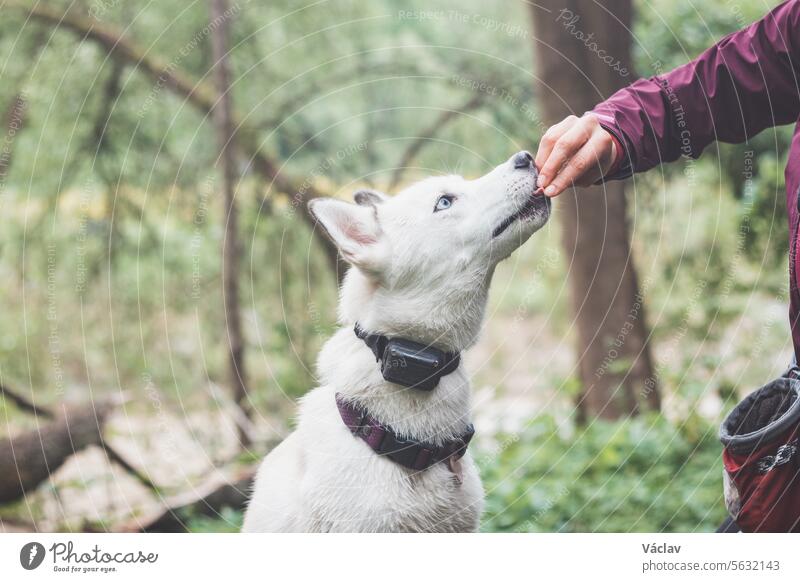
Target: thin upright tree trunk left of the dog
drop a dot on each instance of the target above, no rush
(223, 120)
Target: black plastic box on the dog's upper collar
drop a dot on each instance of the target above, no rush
(411, 364)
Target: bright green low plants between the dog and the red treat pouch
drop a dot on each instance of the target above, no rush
(643, 474)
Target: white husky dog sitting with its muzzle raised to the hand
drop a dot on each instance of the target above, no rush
(423, 261)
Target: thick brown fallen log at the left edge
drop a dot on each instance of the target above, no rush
(29, 458)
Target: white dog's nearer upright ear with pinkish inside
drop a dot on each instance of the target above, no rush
(355, 231)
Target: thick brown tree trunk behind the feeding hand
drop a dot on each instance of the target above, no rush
(613, 354)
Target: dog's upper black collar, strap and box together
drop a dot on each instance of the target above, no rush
(409, 363)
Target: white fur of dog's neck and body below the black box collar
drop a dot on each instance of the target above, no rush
(340, 484)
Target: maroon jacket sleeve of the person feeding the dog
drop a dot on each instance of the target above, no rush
(748, 81)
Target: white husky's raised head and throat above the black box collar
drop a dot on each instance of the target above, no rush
(424, 258)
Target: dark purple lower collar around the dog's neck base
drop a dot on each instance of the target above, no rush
(410, 453)
